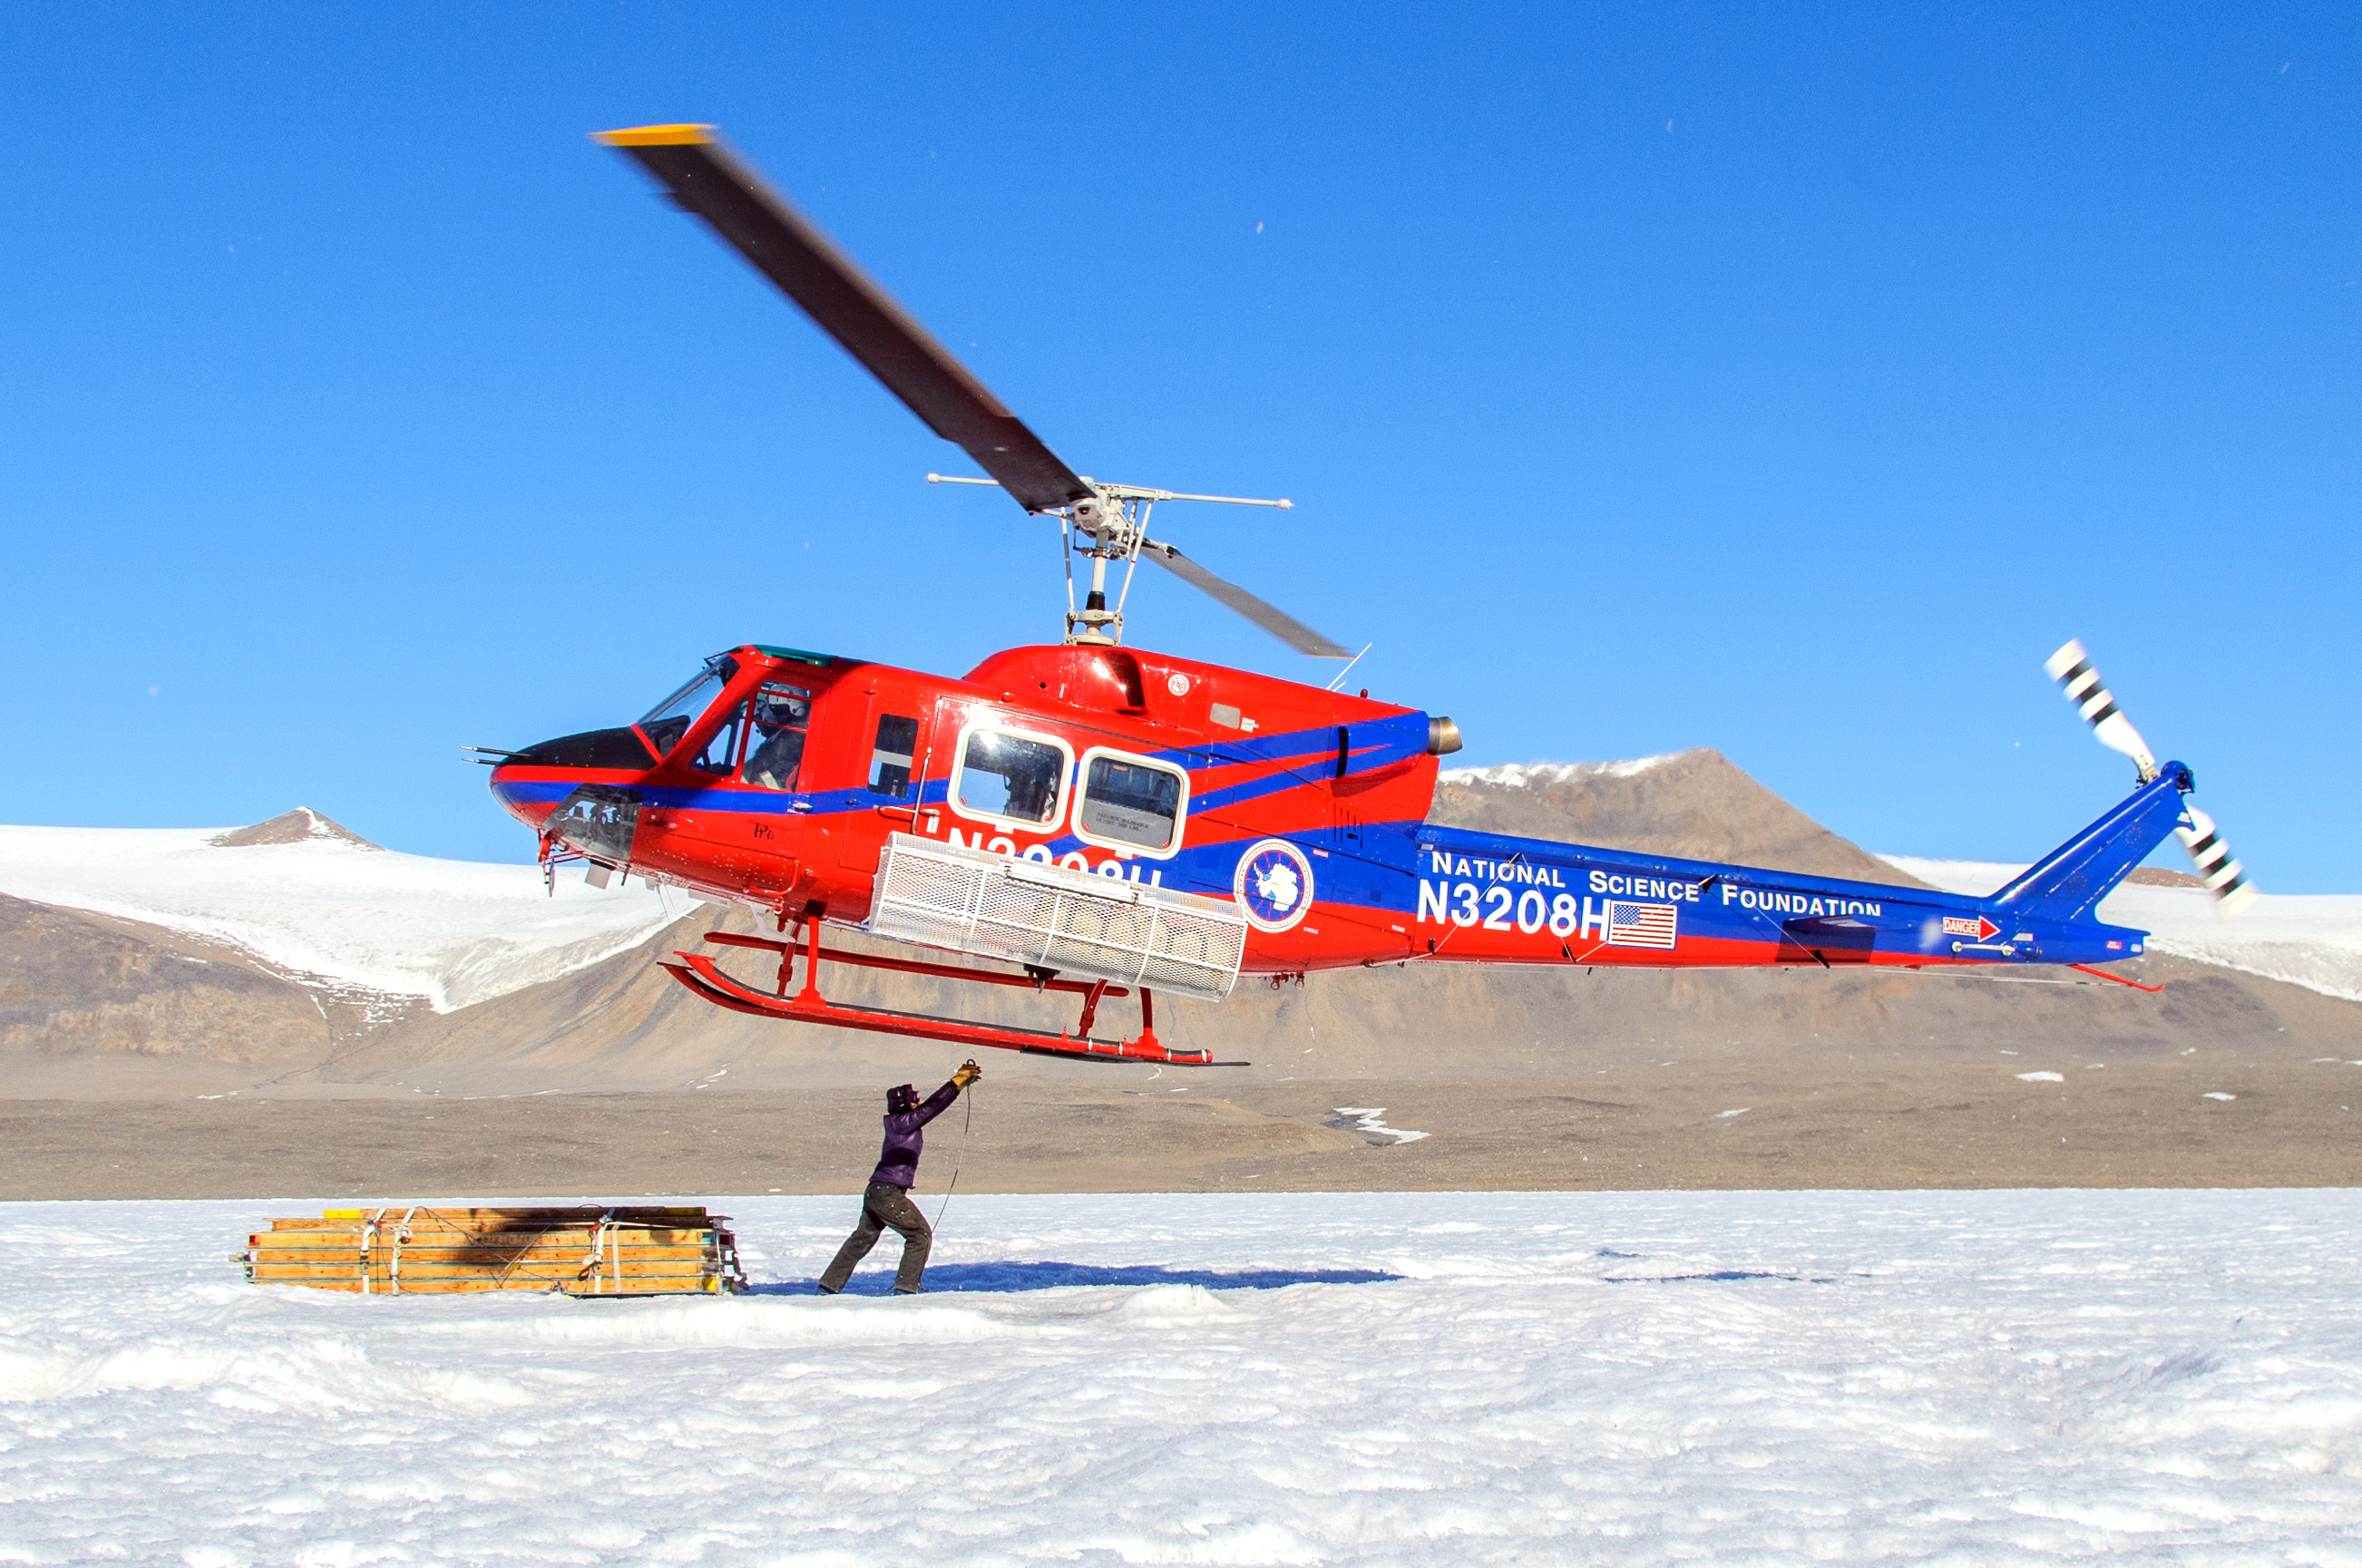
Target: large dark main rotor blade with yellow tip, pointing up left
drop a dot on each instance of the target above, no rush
(854, 311)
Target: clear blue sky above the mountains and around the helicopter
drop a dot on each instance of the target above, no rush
(1773, 379)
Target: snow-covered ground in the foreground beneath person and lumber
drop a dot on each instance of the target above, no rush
(1638, 1378)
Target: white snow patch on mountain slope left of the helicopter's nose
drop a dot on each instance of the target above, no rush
(341, 910)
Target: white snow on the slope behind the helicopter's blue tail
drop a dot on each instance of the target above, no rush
(2311, 941)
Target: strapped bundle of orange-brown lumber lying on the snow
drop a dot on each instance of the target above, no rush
(585, 1253)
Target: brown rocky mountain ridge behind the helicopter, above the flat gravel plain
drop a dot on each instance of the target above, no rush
(105, 1007)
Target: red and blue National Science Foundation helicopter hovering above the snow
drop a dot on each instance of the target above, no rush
(1114, 823)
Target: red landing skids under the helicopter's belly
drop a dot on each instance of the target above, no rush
(705, 979)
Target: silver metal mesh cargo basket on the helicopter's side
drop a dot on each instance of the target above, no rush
(1057, 917)
